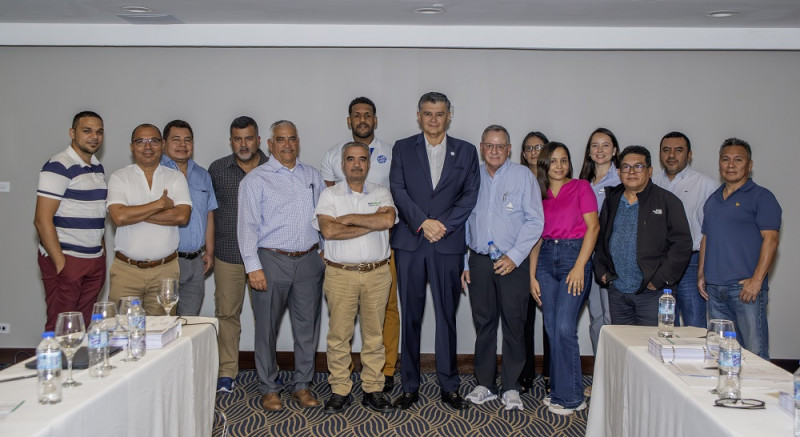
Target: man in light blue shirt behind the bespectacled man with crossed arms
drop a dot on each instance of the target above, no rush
(196, 246)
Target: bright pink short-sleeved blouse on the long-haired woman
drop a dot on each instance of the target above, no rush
(563, 215)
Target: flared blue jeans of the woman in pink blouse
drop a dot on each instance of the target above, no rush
(561, 310)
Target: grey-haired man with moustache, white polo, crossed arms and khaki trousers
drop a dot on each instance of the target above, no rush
(355, 218)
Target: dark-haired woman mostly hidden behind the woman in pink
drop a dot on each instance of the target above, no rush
(532, 145)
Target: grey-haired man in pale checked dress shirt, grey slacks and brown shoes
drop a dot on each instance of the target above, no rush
(279, 248)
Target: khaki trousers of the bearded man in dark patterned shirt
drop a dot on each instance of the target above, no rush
(229, 283)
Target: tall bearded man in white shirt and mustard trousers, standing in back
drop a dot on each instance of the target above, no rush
(362, 122)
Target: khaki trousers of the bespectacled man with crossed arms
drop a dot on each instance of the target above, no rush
(128, 280)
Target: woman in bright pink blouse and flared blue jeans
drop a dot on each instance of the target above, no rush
(561, 271)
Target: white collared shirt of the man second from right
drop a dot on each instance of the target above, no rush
(693, 188)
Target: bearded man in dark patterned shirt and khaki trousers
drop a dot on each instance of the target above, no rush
(229, 275)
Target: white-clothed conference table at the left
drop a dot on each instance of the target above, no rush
(169, 392)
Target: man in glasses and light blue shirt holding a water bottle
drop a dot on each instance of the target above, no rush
(508, 213)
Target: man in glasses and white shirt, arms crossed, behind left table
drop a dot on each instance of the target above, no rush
(147, 202)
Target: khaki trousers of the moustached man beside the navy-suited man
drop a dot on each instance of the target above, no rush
(365, 295)
